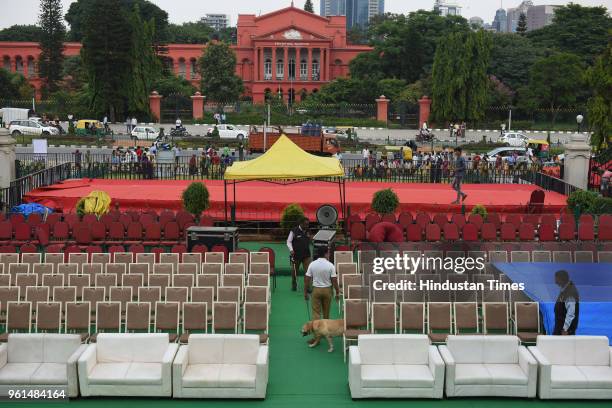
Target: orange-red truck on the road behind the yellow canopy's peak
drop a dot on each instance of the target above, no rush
(312, 140)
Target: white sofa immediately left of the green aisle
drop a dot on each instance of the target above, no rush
(221, 366)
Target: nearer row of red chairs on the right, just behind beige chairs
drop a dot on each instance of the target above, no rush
(489, 232)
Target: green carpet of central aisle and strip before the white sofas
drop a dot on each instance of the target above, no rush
(301, 377)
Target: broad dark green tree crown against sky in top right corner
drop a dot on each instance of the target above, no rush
(576, 29)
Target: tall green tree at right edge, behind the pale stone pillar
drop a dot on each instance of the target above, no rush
(599, 106)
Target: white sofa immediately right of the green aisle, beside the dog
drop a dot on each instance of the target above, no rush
(395, 366)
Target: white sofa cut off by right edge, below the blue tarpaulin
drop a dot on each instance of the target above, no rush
(574, 367)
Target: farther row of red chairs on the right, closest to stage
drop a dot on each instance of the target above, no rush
(423, 219)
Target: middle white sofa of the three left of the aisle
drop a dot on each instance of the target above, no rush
(128, 364)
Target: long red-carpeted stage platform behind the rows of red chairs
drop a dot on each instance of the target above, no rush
(265, 201)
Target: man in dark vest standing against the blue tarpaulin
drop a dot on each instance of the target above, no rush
(567, 307)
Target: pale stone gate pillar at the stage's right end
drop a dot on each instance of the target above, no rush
(576, 163)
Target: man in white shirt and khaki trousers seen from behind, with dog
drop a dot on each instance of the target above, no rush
(322, 276)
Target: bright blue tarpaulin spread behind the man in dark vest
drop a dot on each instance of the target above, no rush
(594, 284)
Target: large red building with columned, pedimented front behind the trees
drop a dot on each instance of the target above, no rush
(289, 52)
